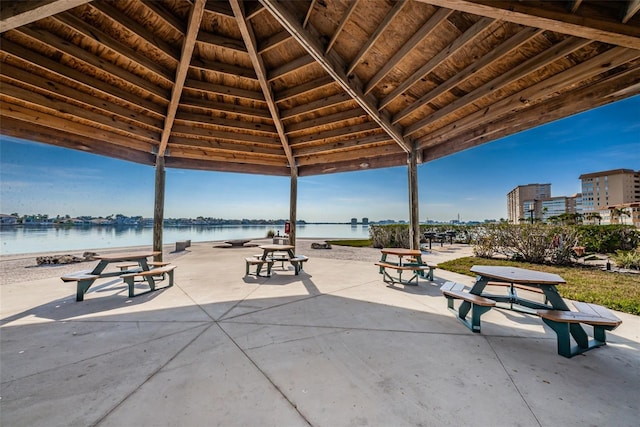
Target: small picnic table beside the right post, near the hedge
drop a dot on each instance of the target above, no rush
(413, 264)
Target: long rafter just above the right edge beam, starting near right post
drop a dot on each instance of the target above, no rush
(524, 99)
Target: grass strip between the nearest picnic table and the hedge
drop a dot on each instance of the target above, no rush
(618, 291)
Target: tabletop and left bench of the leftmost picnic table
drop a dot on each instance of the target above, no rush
(86, 278)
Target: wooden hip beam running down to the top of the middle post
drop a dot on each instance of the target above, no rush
(261, 72)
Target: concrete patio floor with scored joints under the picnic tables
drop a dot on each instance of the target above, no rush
(333, 346)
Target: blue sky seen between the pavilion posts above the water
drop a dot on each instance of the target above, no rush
(37, 178)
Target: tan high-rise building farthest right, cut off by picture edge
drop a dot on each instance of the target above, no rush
(608, 188)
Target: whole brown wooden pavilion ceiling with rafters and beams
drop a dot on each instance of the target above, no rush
(305, 87)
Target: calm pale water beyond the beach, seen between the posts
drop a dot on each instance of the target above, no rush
(24, 240)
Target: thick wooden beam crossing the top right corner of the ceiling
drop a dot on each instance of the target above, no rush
(552, 17)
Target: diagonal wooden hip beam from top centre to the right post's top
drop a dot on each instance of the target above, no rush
(334, 68)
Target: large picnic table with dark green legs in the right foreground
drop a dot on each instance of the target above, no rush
(554, 310)
